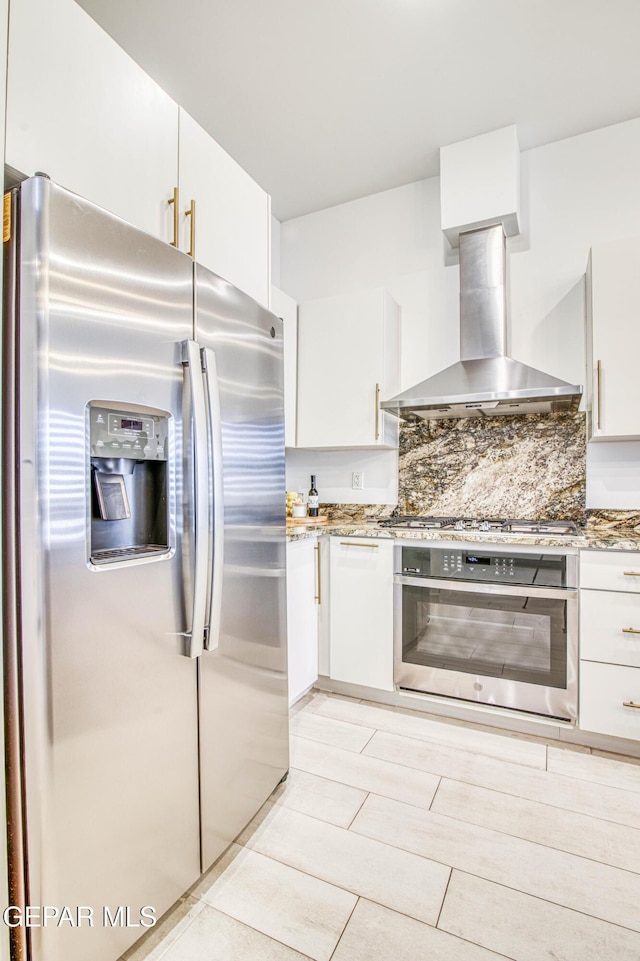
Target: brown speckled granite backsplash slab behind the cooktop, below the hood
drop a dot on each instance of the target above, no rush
(531, 466)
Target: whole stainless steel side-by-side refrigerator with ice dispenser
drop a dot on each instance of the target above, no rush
(144, 569)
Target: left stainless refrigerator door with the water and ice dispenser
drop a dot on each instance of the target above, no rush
(109, 705)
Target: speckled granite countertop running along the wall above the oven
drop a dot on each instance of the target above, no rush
(590, 540)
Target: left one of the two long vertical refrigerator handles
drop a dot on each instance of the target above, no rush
(191, 361)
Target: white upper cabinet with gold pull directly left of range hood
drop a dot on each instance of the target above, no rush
(348, 361)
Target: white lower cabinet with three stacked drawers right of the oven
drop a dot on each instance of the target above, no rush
(610, 644)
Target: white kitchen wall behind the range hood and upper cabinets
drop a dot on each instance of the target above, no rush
(575, 193)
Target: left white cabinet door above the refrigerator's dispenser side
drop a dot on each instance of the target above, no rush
(82, 111)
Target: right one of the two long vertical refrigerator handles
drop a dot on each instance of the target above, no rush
(214, 600)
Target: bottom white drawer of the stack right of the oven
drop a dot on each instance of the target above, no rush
(603, 690)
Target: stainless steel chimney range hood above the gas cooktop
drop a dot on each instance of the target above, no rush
(484, 380)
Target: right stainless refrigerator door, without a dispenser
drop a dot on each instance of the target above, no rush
(244, 750)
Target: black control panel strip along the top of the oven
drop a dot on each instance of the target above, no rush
(497, 567)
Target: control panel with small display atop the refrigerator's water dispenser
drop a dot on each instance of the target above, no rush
(130, 433)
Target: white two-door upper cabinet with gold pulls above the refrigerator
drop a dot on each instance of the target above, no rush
(82, 111)
